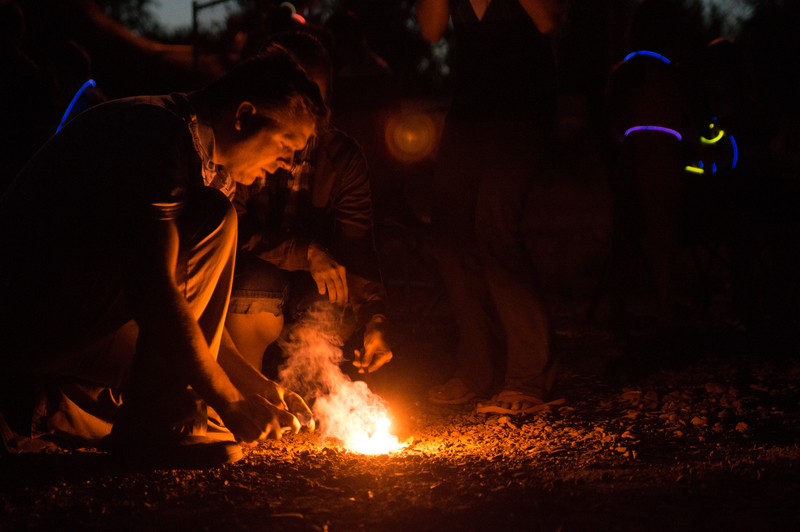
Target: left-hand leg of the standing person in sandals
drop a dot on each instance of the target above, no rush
(455, 192)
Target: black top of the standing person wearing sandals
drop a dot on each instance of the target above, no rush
(504, 66)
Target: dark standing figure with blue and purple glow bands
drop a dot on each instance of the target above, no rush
(649, 113)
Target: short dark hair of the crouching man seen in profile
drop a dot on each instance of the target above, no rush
(274, 83)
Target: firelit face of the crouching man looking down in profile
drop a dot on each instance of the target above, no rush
(267, 150)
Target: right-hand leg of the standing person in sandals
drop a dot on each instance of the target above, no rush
(520, 154)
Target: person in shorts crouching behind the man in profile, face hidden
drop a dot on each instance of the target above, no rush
(308, 232)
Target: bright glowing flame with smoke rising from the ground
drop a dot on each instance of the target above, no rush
(346, 410)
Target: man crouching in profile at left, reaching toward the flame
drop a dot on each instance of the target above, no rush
(116, 264)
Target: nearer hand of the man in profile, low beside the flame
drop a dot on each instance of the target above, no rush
(253, 418)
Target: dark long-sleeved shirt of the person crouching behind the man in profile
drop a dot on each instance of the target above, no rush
(325, 199)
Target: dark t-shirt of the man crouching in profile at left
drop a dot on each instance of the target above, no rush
(88, 189)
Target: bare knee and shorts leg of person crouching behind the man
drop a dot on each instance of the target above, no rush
(255, 316)
